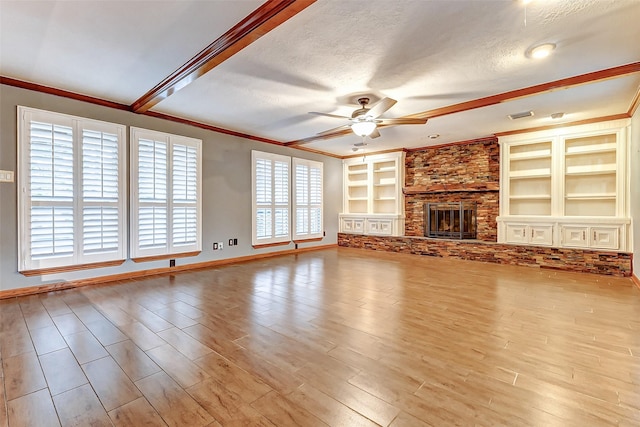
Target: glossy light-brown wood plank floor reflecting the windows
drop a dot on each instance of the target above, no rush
(340, 337)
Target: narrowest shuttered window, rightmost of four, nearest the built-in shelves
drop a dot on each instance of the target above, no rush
(307, 190)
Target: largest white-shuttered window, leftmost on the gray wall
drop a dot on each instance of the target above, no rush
(71, 203)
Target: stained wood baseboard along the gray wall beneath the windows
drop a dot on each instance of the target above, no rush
(32, 290)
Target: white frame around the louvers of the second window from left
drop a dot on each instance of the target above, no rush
(170, 248)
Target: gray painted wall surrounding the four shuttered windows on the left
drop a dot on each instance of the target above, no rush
(226, 187)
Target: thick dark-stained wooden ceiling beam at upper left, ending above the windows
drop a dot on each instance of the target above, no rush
(262, 20)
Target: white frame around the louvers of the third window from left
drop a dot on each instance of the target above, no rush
(273, 205)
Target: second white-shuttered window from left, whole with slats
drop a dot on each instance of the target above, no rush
(165, 194)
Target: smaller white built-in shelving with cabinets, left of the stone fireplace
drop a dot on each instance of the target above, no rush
(373, 200)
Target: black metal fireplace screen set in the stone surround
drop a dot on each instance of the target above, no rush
(450, 220)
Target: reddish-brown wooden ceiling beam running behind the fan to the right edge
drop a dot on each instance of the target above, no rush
(596, 76)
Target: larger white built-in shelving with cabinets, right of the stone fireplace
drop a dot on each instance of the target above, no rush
(566, 187)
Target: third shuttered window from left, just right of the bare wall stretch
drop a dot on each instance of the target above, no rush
(270, 198)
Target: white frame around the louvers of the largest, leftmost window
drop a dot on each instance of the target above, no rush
(26, 261)
